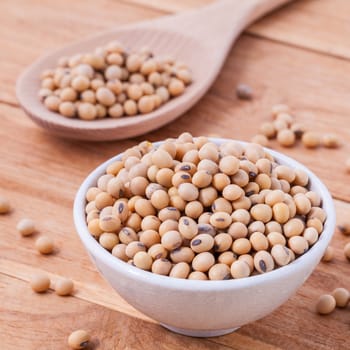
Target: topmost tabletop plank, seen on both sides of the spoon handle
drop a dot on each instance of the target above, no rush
(300, 23)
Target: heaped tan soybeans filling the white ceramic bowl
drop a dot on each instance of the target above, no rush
(190, 208)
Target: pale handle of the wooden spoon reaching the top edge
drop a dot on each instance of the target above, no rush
(217, 25)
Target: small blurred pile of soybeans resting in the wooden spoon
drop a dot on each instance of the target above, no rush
(112, 82)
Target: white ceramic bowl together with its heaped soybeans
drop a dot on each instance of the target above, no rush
(211, 223)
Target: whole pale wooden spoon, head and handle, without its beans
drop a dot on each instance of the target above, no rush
(200, 38)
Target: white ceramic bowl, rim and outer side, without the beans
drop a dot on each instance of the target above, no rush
(205, 308)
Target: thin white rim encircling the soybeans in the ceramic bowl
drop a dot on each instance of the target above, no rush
(95, 249)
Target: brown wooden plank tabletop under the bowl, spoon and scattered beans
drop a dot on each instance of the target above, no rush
(299, 55)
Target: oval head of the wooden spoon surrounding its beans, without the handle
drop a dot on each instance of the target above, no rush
(121, 128)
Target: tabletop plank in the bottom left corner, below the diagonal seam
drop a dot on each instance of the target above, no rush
(44, 322)
